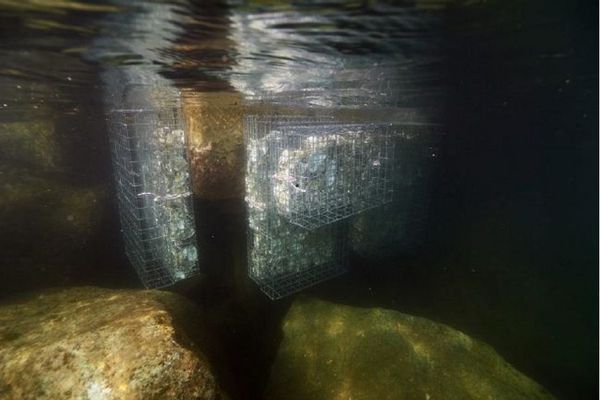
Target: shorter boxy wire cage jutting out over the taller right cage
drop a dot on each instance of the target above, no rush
(319, 171)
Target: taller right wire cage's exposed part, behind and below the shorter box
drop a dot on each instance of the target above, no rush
(284, 258)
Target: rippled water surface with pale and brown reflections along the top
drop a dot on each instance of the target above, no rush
(313, 49)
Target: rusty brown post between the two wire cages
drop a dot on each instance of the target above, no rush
(215, 144)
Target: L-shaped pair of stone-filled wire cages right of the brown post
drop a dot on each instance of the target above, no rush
(305, 177)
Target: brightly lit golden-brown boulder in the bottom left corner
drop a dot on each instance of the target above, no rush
(93, 343)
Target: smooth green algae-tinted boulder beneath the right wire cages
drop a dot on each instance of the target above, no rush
(333, 351)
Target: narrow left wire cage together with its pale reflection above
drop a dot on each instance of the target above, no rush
(148, 146)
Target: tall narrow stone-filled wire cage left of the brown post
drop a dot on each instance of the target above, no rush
(152, 181)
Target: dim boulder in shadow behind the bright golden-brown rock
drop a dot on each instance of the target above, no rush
(47, 227)
